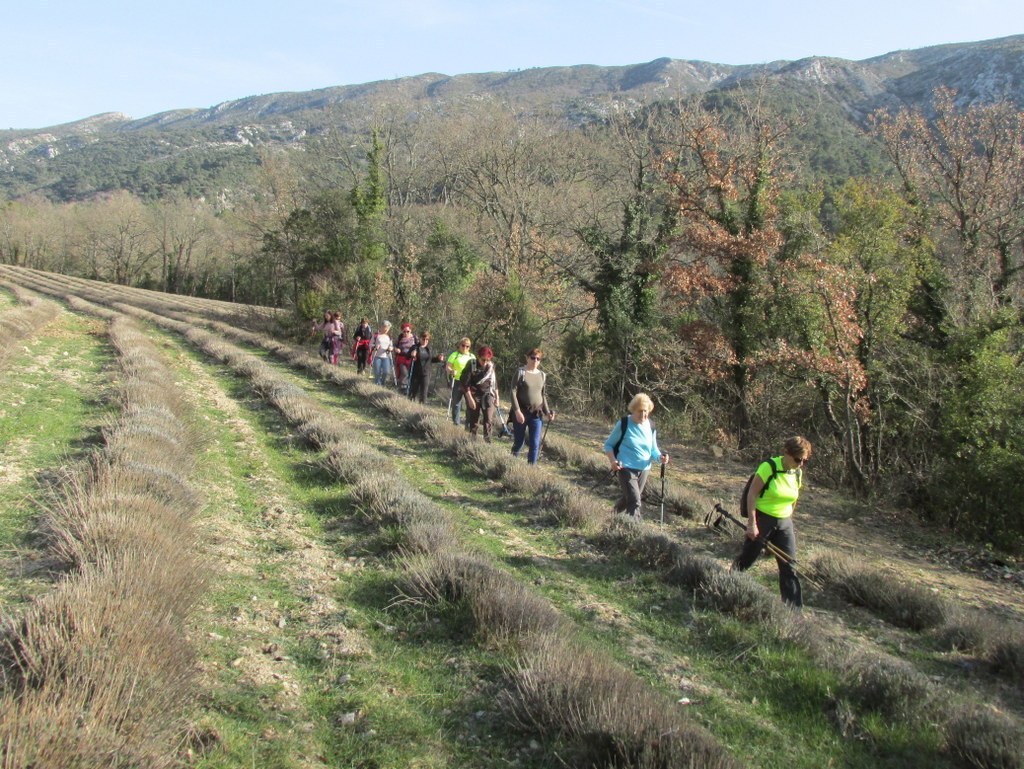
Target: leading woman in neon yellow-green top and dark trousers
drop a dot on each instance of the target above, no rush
(772, 501)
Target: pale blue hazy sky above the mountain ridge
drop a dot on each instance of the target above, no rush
(66, 60)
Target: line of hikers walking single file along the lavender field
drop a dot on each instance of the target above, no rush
(770, 498)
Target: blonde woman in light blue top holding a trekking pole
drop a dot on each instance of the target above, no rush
(631, 449)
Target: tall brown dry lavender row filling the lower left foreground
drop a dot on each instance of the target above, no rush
(99, 672)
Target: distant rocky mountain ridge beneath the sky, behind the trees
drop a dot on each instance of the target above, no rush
(203, 152)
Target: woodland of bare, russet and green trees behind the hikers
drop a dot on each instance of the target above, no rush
(756, 270)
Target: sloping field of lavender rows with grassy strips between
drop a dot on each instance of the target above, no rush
(221, 552)
